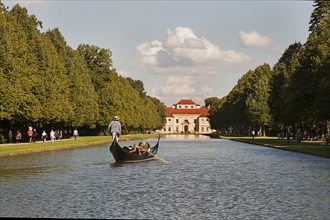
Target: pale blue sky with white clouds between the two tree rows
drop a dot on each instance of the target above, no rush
(180, 49)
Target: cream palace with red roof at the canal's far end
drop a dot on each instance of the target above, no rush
(187, 117)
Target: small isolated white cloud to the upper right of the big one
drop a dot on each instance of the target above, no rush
(254, 40)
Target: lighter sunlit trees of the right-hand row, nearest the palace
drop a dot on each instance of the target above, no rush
(246, 105)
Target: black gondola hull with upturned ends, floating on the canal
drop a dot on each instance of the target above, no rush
(122, 155)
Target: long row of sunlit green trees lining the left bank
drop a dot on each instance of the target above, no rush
(47, 84)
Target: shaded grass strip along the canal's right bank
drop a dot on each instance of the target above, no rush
(317, 148)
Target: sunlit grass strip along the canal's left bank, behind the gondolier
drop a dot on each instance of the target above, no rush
(24, 148)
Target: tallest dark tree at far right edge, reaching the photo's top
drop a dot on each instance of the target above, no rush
(309, 84)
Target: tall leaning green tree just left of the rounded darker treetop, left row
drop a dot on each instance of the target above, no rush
(82, 96)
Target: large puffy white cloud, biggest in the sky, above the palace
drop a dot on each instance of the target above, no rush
(184, 53)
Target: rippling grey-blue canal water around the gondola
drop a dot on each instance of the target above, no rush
(205, 179)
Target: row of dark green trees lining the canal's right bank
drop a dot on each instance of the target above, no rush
(294, 93)
